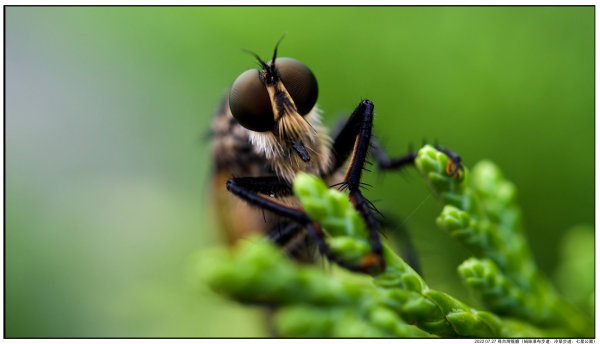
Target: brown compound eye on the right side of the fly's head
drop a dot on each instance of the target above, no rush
(300, 82)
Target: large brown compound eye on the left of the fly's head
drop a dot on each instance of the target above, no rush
(249, 102)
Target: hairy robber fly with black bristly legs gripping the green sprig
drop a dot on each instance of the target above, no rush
(268, 129)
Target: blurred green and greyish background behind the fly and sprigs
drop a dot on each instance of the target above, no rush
(107, 171)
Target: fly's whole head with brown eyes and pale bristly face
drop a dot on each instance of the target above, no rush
(277, 104)
